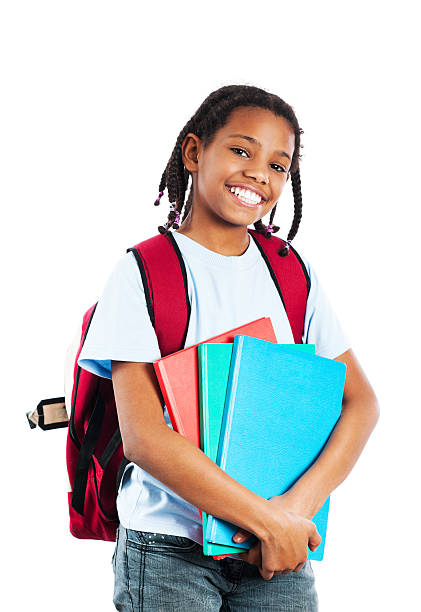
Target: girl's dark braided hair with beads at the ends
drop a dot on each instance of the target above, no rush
(211, 115)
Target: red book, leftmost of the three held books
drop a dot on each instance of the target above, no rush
(177, 375)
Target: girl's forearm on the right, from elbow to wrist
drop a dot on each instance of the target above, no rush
(357, 421)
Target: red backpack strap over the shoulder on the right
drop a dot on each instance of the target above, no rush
(290, 277)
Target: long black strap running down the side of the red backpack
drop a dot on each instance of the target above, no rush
(86, 451)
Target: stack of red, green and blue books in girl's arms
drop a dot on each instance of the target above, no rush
(262, 411)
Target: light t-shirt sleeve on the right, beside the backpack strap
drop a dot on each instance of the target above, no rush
(321, 326)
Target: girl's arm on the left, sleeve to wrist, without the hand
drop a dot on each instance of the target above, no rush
(174, 460)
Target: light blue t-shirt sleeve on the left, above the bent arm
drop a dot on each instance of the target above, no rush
(120, 328)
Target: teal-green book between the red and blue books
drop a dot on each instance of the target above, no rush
(214, 366)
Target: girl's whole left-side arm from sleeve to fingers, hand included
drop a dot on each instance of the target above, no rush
(178, 463)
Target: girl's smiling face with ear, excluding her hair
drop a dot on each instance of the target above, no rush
(253, 150)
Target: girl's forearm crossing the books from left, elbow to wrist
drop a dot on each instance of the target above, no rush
(184, 468)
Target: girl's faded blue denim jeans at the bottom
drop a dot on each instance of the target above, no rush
(168, 573)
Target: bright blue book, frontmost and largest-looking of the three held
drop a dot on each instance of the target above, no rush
(281, 406)
